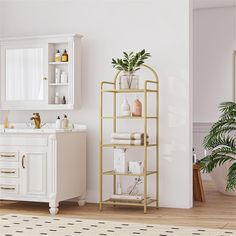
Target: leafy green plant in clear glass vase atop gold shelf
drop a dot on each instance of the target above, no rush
(129, 65)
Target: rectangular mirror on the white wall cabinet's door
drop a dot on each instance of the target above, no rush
(24, 74)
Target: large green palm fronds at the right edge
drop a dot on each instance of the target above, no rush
(221, 141)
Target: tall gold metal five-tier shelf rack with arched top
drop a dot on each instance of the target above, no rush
(150, 86)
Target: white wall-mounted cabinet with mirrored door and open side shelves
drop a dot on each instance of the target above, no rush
(44, 88)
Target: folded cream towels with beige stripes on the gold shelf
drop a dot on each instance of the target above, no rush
(128, 138)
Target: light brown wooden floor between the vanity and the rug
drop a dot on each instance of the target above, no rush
(219, 211)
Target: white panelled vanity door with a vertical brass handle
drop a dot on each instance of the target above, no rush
(34, 173)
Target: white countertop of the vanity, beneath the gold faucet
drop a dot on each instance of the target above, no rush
(47, 128)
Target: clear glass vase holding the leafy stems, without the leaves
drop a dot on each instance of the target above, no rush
(128, 81)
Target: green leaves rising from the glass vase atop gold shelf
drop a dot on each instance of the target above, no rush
(131, 61)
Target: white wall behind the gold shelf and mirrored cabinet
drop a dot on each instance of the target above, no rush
(109, 27)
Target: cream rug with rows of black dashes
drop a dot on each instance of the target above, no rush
(25, 225)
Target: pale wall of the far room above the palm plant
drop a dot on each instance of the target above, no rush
(214, 44)
